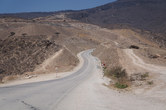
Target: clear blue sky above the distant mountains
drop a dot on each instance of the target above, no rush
(15, 6)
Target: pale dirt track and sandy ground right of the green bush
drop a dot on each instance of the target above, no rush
(157, 75)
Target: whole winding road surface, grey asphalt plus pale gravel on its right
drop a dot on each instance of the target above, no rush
(82, 90)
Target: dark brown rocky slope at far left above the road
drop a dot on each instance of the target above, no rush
(22, 54)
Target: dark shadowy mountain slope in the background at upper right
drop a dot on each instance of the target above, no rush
(145, 16)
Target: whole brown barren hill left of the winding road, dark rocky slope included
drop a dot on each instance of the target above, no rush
(42, 46)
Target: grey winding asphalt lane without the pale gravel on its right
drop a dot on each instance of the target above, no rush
(45, 95)
